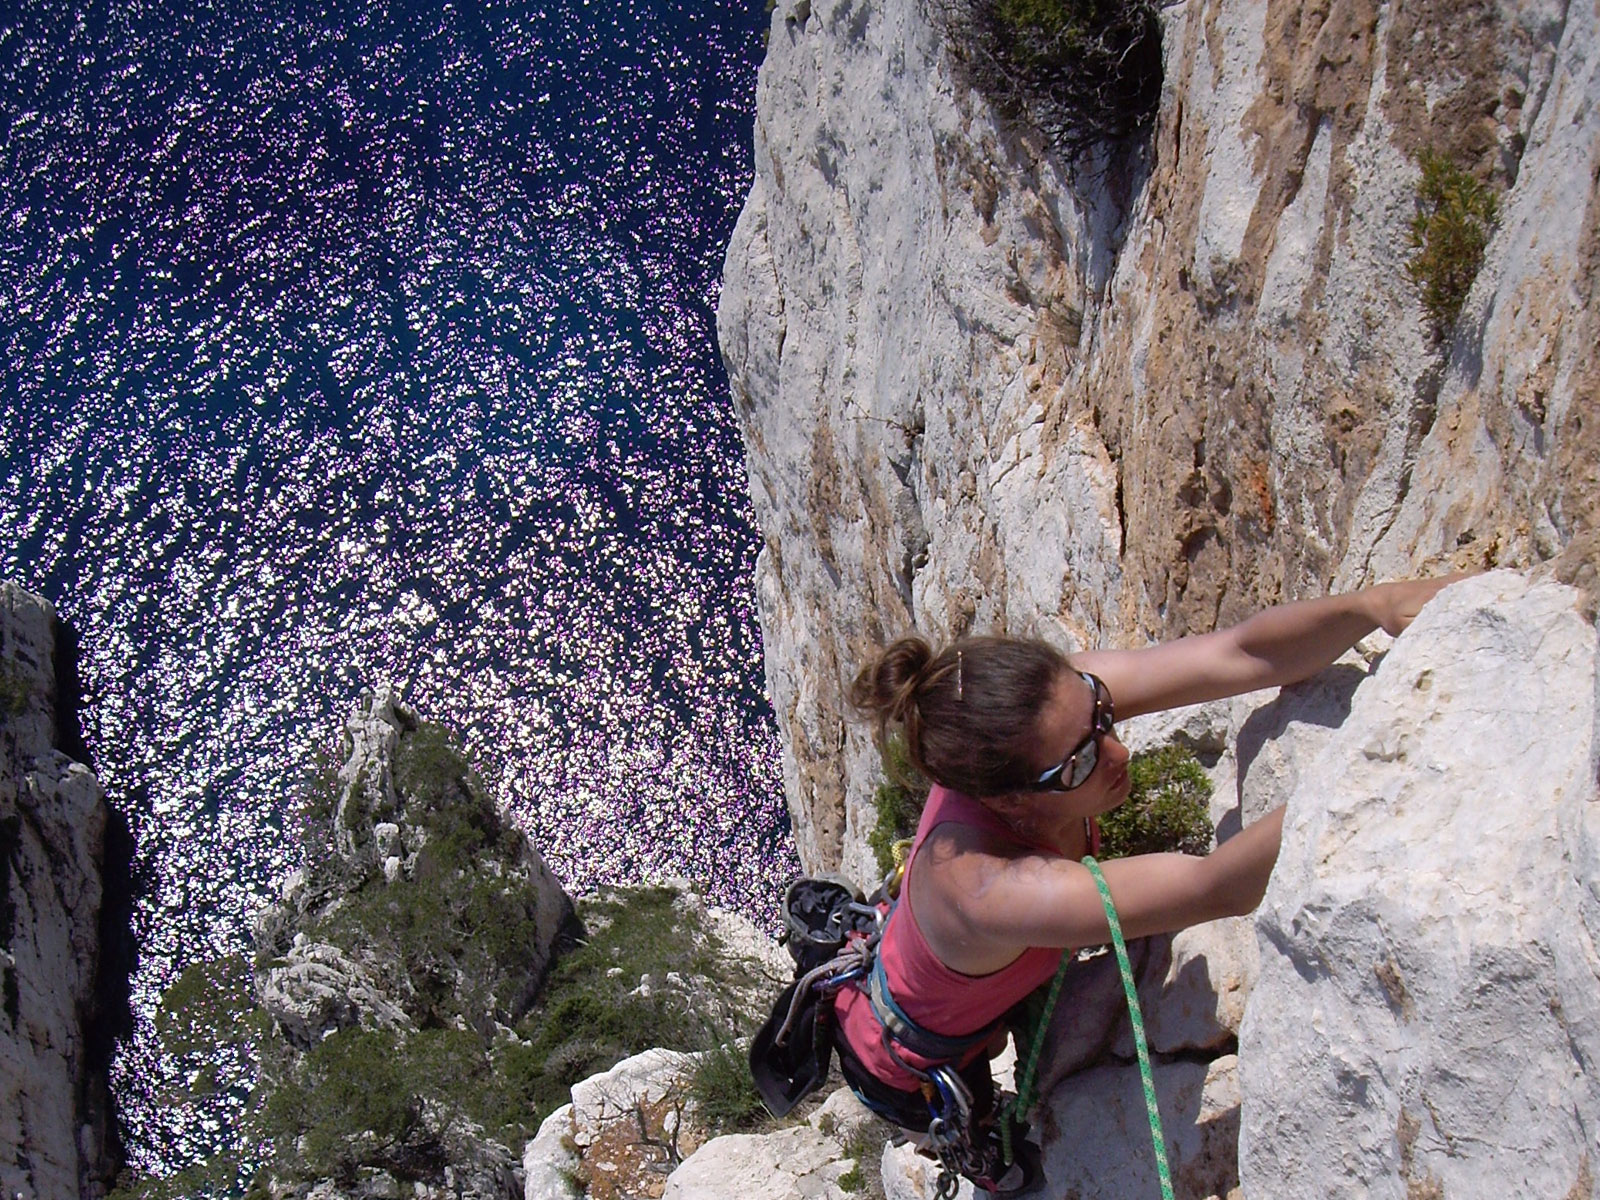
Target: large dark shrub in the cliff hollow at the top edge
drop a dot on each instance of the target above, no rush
(1087, 73)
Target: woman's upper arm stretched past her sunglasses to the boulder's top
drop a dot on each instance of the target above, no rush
(1274, 647)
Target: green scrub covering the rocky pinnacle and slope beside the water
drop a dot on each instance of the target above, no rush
(481, 1052)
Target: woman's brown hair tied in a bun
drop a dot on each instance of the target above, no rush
(967, 713)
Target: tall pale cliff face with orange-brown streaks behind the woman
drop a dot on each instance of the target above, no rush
(982, 391)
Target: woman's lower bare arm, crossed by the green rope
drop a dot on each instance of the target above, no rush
(1054, 902)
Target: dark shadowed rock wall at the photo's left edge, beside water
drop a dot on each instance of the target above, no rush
(58, 1134)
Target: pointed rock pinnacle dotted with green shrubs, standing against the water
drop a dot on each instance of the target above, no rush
(396, 967)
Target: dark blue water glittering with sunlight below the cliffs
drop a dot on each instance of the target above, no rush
(369, 343)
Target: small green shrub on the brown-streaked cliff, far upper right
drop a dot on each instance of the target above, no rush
(1455, 220)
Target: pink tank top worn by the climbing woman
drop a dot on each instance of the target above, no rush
(937, 998)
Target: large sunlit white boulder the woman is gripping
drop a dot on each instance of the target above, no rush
(1428, 1015)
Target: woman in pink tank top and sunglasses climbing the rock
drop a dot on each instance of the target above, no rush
(1020, 745)
